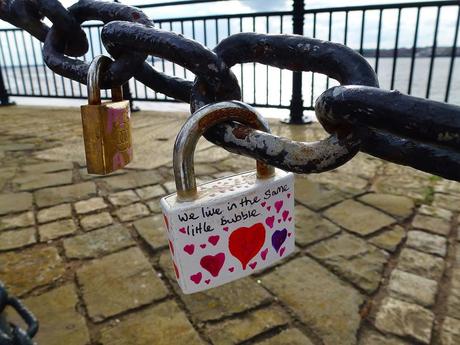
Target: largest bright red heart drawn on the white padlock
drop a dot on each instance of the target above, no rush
(244, 243)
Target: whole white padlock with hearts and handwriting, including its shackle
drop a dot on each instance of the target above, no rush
(227, 228)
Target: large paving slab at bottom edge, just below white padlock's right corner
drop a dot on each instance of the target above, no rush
(330, 308)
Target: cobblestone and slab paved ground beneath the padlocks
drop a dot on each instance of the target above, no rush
(377, 260)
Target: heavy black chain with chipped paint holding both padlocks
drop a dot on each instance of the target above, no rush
(358, 115)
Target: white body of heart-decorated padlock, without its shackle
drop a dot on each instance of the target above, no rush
(238, 224)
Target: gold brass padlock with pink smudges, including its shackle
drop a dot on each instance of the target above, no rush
(106, 126)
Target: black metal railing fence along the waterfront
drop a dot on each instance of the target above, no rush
(412, 46)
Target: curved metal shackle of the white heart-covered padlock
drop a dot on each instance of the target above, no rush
(193, 129)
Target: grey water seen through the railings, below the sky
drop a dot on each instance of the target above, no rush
(260, 84)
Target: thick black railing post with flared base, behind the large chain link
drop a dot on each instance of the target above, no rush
(296, 116)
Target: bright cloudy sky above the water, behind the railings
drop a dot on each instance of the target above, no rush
(428, 15)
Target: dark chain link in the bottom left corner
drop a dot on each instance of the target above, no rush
(9, 333)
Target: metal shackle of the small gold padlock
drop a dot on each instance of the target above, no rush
(100, 64)
